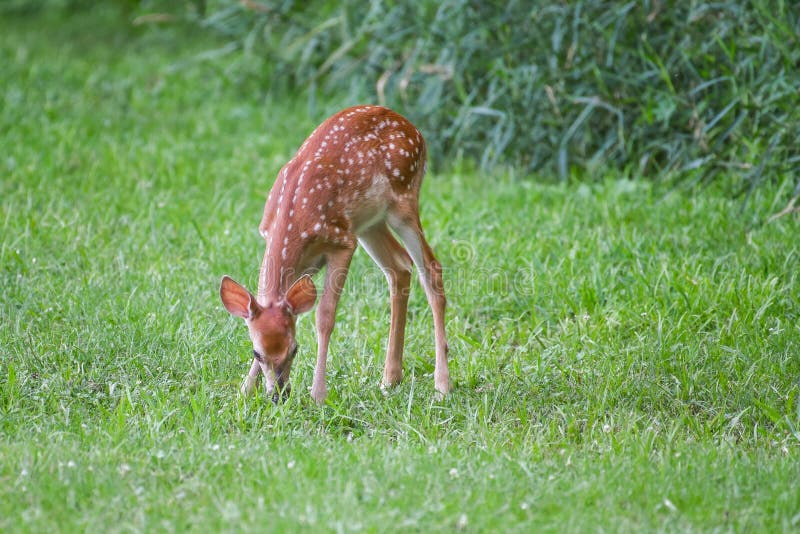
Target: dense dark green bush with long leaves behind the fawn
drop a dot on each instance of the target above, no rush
(649, 87)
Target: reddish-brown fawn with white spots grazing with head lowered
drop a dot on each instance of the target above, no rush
(356, 179)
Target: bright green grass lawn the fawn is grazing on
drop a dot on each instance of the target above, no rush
(623, 358)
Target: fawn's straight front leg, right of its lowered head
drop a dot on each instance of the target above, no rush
(336, 269)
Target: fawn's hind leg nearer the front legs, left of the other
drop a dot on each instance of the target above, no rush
(395, 263)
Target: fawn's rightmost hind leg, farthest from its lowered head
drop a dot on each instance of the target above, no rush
(430, 273)
